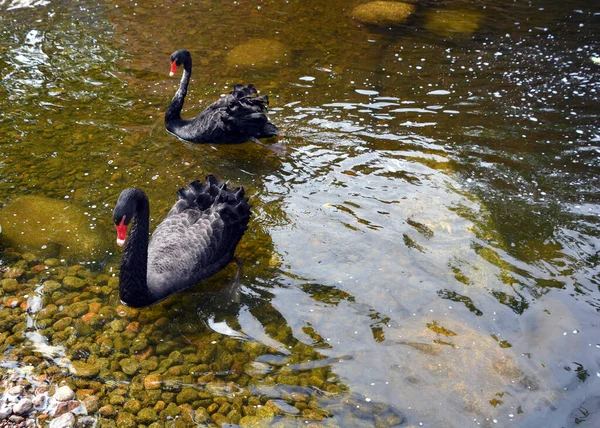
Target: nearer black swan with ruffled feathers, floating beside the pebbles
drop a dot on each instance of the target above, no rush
(196, 239)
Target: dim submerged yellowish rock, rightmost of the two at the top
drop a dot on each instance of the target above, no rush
(452, 22)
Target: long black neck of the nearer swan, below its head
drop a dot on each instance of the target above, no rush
(133, 286)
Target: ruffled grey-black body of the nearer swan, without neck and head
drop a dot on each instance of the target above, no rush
(198, 237)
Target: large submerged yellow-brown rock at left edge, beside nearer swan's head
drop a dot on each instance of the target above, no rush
(50, 227)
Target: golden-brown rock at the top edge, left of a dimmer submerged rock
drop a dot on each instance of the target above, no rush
(383, 13)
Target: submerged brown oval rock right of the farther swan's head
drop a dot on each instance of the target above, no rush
(257, 52)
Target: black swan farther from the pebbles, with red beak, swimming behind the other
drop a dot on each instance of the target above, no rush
(237, 117)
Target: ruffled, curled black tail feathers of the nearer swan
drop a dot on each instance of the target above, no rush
(231, 204)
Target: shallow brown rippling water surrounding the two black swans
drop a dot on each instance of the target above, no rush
(424, 253)
